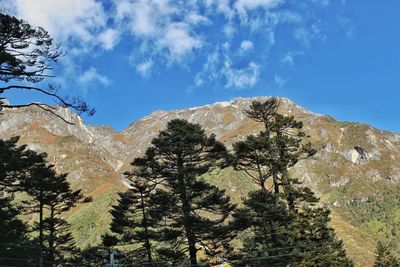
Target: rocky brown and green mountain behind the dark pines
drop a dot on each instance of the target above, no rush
(356, 171)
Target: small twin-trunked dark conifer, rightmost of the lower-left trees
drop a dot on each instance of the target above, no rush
(50, 191)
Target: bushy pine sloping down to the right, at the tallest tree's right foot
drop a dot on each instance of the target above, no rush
(316, 243)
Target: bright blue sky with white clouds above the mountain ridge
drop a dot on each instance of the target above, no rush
(128, 58)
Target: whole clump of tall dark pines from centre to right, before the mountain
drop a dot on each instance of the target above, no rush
(281, 226)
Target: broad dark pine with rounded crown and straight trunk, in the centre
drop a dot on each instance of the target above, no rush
(196, 218)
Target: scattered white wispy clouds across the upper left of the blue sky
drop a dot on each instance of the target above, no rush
(230, 41)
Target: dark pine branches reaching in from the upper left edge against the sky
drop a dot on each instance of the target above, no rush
(27, 53)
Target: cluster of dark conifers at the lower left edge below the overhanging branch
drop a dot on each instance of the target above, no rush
(48, 195)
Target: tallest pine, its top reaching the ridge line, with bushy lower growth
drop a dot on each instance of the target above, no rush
(307, 239)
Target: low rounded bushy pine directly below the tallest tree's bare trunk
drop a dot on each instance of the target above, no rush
(264, 221)
